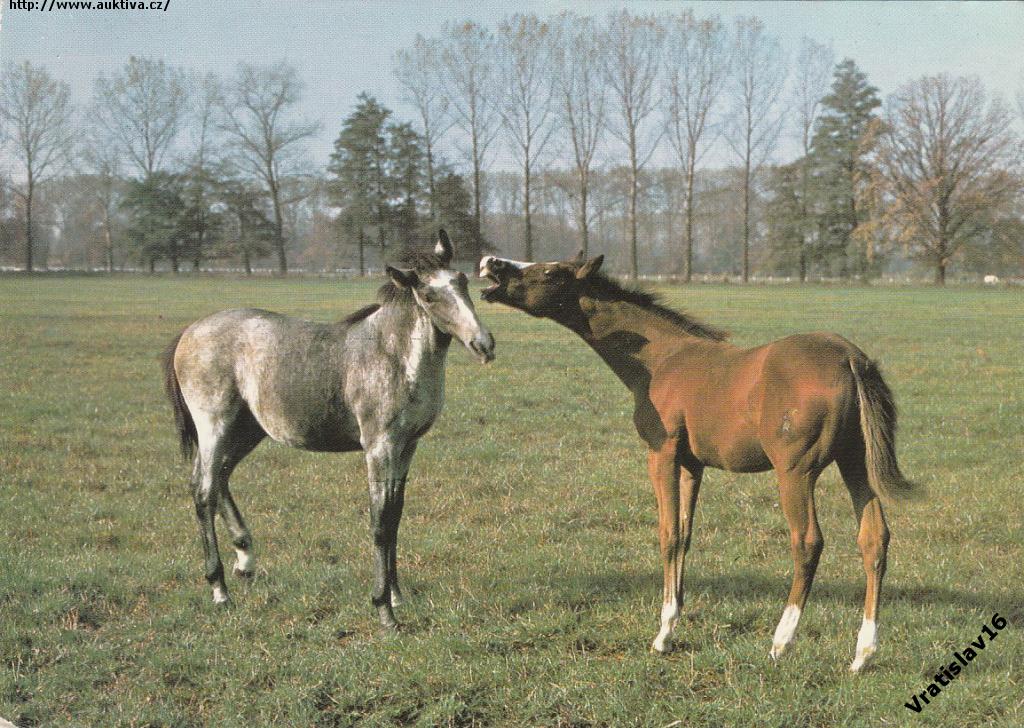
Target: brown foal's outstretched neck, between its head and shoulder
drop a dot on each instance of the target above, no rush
(631, 339)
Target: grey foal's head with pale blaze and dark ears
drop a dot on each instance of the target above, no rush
(444, 294)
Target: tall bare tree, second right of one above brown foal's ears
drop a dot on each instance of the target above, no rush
(697, 68)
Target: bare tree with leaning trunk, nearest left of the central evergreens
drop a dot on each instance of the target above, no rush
(266, 145)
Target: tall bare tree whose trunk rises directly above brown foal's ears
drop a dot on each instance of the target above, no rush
(581, 102)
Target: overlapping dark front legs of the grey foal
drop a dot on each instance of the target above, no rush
(388, 467)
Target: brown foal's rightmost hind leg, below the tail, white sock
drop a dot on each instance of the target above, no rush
(873, 539)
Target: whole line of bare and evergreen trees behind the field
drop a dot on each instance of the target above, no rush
(608, 125)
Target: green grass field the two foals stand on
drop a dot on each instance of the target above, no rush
(529, 547)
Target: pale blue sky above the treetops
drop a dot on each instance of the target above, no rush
(343, 49)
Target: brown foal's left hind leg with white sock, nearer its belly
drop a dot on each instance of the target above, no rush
(797, 495)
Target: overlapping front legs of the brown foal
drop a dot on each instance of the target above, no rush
(676, 488)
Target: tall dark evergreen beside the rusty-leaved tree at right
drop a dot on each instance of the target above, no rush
(839, 153)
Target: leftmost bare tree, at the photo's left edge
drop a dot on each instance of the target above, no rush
(36, 117)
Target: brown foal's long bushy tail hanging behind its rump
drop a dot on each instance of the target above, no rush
(878, 425)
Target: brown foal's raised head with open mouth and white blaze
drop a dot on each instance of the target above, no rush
(538, 289)
